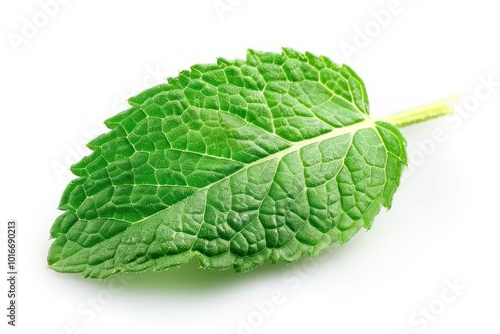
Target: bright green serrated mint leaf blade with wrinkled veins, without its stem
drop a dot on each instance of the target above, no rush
(238, 163)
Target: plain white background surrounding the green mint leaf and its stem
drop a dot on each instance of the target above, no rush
(78, 67)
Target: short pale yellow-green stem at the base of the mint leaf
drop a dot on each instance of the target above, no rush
(423, 113)
